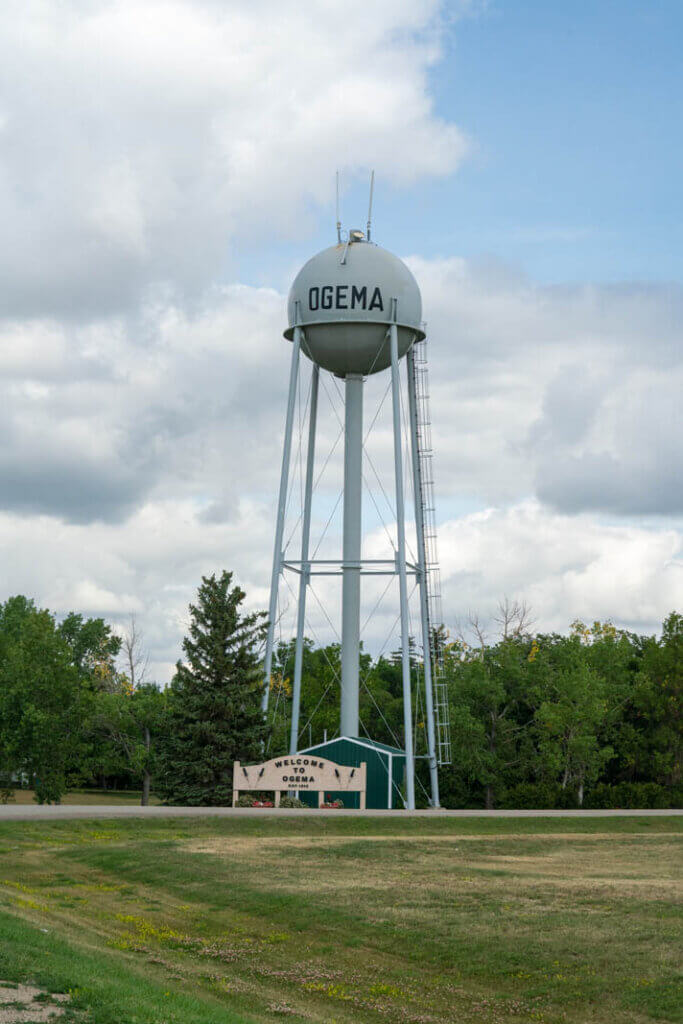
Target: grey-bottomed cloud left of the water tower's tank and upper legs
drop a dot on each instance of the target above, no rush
(98, 418)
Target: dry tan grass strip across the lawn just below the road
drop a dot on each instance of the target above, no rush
(569, 862)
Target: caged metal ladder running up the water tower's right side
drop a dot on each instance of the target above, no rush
(435, 612)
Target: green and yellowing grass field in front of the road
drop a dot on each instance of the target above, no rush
(359, 920)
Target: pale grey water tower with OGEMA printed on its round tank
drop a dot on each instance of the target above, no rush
(356, 311)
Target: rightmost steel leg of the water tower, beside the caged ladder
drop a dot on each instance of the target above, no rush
(422, 578)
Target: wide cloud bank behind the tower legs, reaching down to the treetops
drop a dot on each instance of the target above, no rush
(144, 451)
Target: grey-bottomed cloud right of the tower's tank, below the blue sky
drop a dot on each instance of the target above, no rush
(568, 394)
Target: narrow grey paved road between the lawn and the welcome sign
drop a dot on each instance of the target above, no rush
(34, 813)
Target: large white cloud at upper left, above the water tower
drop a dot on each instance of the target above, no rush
(140, 139)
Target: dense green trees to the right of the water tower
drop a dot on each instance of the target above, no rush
(588, 719)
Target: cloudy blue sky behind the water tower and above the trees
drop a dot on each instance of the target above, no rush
(165, 169)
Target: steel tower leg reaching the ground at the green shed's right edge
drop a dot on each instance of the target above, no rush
(403, 579)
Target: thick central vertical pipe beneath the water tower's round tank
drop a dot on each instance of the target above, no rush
(352, 570)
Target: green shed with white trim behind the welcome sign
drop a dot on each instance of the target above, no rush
(387, 771)
